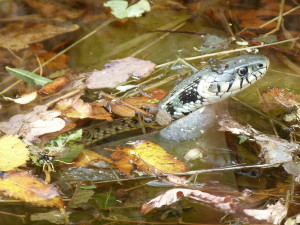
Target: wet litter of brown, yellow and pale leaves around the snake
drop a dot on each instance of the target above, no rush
(42, 133)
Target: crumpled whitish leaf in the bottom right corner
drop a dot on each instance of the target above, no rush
(273, 214)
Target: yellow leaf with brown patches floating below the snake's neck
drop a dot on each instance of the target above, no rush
(148, 157)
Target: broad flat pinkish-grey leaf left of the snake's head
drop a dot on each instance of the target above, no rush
(118, 71)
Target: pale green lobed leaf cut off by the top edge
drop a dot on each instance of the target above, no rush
(121, 10)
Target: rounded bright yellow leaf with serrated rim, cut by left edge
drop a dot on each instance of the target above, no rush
(13, 153)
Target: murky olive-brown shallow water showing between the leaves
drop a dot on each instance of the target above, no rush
(134, 38)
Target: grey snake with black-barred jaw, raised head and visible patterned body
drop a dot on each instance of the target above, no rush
(206, 86)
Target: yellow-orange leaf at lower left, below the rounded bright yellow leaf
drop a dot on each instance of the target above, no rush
(28, 188)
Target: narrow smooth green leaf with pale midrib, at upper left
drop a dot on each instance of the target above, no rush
(28, 76)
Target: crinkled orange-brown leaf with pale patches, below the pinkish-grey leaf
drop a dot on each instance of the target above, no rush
(76, 108)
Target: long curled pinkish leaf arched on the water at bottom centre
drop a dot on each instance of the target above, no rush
(225, 204)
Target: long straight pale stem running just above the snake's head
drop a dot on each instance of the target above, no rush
(229, 51)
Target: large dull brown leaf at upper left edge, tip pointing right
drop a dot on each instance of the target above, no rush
(16, 36)
